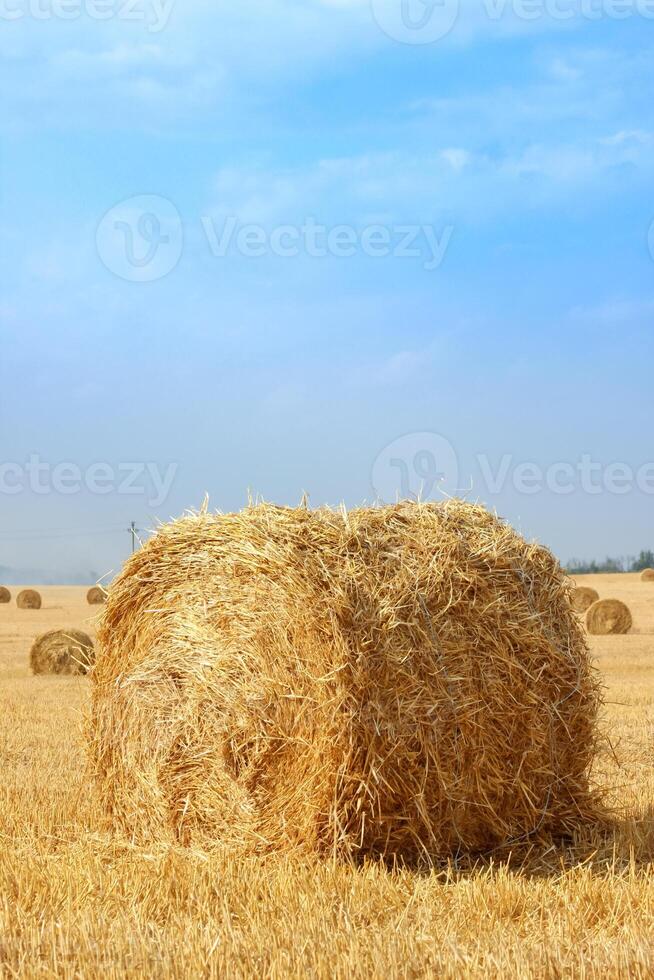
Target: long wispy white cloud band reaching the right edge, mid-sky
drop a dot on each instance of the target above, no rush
(438, 187)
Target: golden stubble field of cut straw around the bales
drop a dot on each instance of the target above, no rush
(74, 902)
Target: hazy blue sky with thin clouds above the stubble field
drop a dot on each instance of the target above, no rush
(524, 148)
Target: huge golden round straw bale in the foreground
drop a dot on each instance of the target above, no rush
(403, 680)
